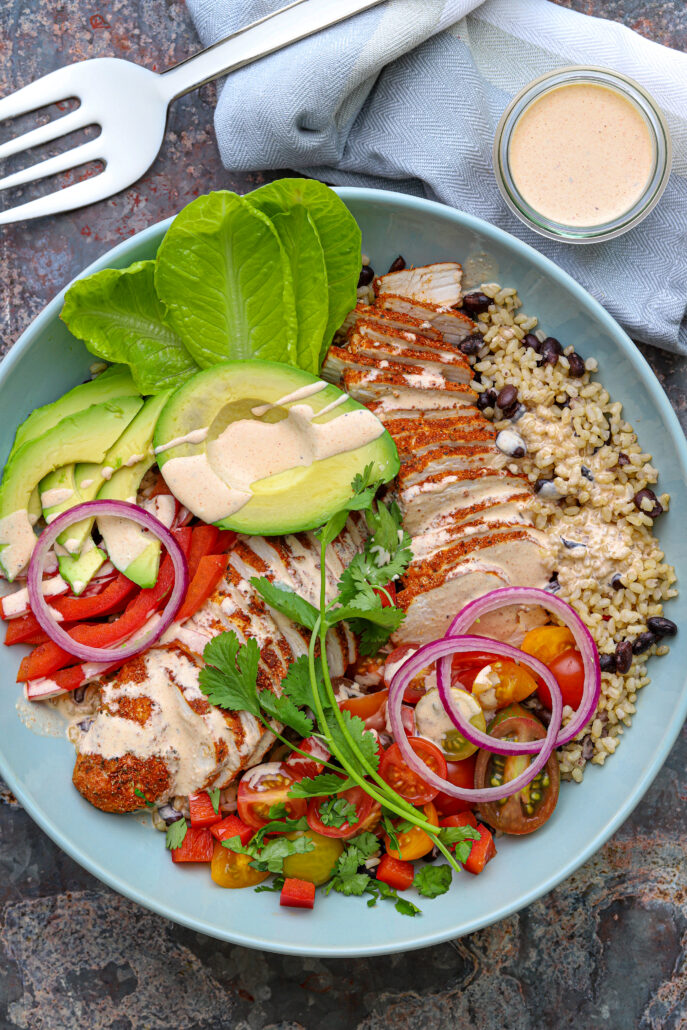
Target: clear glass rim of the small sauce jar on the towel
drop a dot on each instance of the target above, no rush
(631, 91)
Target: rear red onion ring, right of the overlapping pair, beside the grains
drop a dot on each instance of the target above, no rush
(586, 644)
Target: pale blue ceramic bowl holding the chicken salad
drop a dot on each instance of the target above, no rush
(131, 857)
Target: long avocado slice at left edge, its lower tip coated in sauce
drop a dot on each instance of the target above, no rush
(87, 435)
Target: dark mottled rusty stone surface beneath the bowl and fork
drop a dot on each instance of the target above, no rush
(606, 950)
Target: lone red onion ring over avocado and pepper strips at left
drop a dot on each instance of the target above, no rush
(93, 509)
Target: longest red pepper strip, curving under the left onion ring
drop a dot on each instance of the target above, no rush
(48, 659)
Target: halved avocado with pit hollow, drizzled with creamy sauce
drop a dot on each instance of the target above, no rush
(222, 454)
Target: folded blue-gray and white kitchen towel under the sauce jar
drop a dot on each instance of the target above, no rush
(407, 97)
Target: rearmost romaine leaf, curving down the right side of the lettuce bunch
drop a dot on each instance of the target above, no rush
(339, 235)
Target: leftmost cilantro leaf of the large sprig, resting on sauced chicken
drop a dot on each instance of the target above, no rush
(230, 677)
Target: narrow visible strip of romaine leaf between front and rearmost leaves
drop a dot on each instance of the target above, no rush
(301, 243)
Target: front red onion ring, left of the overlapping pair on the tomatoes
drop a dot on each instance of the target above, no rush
(428, 656)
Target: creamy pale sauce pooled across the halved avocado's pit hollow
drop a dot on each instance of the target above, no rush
(217, 484)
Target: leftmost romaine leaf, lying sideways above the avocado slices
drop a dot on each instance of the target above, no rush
(120, 319)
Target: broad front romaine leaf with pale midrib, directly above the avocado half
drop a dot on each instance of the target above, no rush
(226, 283)
